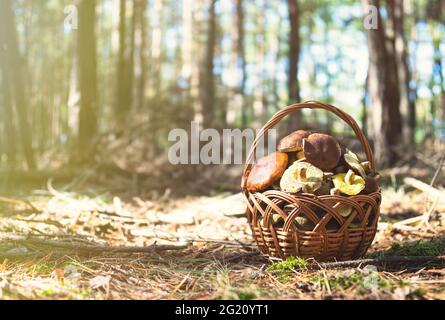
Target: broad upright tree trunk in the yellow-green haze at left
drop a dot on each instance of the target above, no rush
(86, 44)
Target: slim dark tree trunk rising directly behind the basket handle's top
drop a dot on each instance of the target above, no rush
(294, 58)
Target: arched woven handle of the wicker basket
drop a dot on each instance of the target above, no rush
(309, 105)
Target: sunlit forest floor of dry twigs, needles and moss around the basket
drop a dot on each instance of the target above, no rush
(57, 242)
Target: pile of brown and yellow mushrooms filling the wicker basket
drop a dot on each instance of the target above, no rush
(313, 163)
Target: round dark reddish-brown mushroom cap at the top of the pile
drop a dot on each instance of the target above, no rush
(322, 151)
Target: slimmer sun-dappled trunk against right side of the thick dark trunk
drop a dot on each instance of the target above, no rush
(407, 101)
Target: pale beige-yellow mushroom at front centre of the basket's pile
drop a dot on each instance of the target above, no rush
(301, 176)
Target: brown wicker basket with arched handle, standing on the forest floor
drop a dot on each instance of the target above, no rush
(355, 233)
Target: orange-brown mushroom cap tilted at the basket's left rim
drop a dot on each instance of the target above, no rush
(266, 171)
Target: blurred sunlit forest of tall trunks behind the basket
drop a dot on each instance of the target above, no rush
(85, 81)
